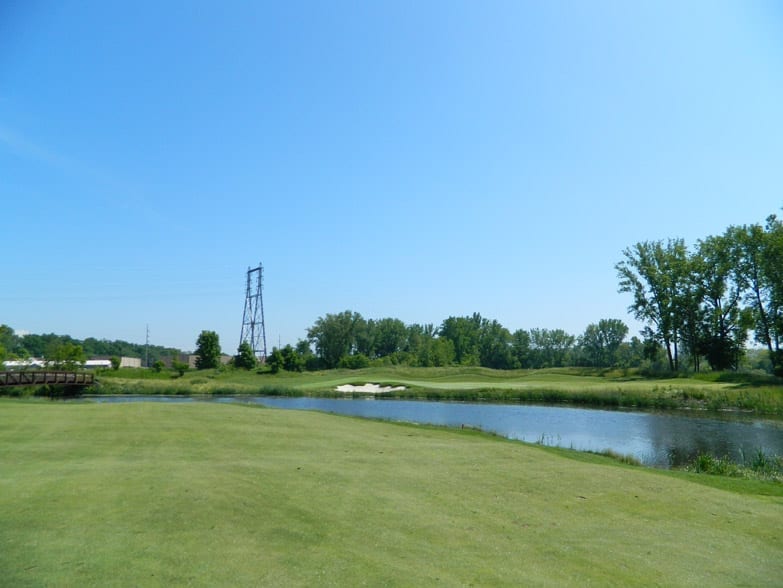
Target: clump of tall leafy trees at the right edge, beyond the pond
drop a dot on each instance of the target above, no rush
(702, 303)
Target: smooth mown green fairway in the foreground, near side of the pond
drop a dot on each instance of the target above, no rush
(145, 494)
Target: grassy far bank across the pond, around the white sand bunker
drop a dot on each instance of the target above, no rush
(582, 387)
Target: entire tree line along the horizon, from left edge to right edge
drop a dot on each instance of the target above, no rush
(697, 305)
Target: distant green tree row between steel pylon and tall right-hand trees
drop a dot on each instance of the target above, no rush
(348, 340)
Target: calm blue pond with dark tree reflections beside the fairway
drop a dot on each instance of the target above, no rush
(655, 438)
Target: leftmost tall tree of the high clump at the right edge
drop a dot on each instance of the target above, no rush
(657, 275)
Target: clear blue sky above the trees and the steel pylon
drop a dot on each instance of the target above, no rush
(400, 159)
